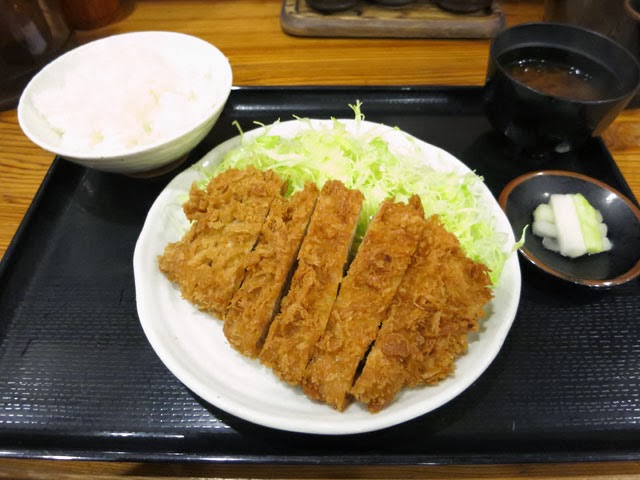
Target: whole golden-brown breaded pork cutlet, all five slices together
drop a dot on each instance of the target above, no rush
(274, 270)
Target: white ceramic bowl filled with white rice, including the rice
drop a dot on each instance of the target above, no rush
(128, 103)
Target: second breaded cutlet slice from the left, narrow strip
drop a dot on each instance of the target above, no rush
(255, 303)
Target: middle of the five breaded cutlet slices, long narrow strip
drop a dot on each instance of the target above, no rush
(305, 309)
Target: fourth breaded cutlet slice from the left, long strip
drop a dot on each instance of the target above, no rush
(364, 298)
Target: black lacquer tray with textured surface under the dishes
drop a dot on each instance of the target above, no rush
(78, 378)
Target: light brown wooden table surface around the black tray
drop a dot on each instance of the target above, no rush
(250, 34)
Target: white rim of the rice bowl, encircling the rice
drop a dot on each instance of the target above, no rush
(223, 68)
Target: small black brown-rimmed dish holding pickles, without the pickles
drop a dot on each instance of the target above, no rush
(599, 271)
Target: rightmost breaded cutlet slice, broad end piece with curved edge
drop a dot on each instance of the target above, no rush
(439, 301)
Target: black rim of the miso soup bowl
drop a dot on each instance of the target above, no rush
(567, 27)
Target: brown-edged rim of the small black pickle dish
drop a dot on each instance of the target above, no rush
(625, 277)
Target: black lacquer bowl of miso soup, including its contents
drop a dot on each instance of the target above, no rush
(550, 86)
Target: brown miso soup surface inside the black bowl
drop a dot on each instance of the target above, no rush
(560, 73)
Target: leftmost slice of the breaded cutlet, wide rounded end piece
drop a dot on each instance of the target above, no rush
(208, 262)
